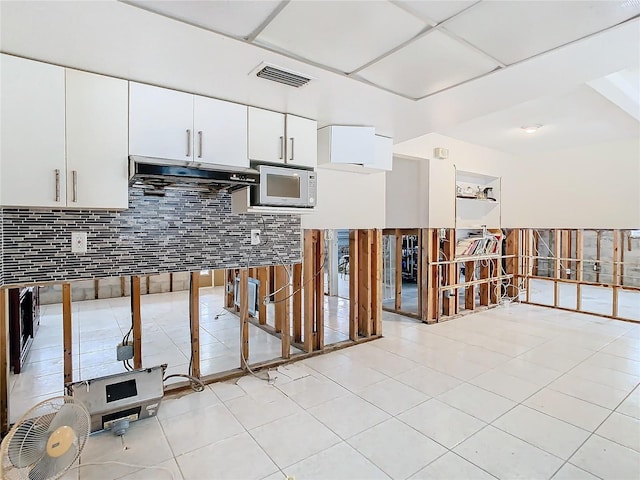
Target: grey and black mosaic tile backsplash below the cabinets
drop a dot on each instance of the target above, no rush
(182, 231)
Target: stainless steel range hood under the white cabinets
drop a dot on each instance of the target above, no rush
(156, 174)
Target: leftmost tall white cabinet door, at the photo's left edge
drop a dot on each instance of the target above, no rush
(32, 132)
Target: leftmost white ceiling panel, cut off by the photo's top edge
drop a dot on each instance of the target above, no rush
(235, 18)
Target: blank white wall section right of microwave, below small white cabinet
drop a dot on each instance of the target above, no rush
(348, 200)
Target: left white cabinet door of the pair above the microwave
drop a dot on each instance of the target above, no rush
(266, 135)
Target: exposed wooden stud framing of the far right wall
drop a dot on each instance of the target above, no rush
(587, 271)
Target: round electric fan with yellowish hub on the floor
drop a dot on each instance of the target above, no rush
(46, 441)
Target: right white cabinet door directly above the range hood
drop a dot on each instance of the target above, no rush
(220, 132)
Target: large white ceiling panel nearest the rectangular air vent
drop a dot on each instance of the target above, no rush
(342, 35)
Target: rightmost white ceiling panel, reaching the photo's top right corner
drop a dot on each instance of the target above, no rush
(513, 31)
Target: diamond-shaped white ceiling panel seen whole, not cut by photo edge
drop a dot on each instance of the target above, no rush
(427, 65)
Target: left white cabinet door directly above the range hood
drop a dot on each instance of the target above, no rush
(160, 122)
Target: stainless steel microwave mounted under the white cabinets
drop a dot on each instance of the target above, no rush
(285, 187)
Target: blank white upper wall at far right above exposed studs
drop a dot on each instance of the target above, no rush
(597, 186)
